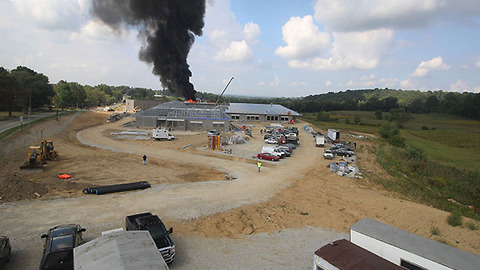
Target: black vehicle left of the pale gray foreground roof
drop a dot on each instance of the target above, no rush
(59, 244)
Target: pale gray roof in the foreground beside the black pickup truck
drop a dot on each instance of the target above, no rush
(131, 250)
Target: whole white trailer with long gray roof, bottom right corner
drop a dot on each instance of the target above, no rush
(409, 250)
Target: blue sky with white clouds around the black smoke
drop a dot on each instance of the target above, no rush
(272, 48)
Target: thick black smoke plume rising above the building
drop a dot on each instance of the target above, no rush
(167, 28)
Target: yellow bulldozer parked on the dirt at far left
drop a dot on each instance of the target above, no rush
(38, 155)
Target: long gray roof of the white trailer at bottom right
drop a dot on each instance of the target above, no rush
(421, 246)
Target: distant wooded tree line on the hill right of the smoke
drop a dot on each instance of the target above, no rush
(383, 100)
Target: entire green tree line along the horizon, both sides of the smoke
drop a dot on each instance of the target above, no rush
(23, 88)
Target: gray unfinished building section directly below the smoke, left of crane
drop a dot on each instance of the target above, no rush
(180, 116)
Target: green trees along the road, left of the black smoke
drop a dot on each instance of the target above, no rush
(23, 89)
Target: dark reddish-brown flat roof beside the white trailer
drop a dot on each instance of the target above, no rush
(345, 255)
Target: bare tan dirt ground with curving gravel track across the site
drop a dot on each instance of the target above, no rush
(190, 190)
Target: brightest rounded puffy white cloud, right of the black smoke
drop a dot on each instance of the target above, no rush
(303, 39)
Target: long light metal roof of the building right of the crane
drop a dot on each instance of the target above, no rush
(267, 109)
